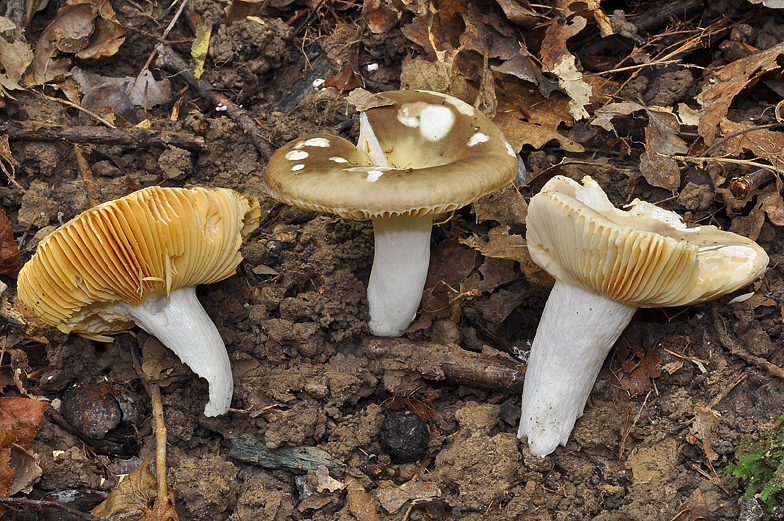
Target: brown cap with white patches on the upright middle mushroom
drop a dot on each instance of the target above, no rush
(441, 154)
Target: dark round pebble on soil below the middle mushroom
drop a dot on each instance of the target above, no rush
(404, 436)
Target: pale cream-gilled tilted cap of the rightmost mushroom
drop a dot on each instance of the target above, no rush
(643, 257)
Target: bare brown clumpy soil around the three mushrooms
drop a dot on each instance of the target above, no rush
(293, 320)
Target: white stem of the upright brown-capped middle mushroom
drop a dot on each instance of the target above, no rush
(400, 262)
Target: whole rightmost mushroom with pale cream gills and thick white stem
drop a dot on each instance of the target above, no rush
(607, 263)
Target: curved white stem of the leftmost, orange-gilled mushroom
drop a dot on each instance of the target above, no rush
(183, 326)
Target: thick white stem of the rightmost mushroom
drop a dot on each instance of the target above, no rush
(575, 333)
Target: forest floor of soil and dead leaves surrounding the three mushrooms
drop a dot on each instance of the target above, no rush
(663, 102)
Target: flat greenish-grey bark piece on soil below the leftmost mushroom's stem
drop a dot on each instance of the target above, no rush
(298, 461)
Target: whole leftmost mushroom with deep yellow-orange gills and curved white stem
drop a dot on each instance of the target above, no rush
(138, 260)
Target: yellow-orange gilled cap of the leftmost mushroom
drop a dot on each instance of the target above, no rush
(152, 241)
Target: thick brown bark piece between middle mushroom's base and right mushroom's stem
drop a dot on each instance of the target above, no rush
(450, 363)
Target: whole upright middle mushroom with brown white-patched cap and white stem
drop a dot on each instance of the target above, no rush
(423, 154)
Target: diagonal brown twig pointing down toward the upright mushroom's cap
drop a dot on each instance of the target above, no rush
(170, 59)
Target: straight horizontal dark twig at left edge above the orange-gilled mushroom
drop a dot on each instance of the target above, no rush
(133, 137)
